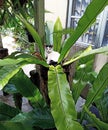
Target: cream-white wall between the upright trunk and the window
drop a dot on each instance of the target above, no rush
(58, 9)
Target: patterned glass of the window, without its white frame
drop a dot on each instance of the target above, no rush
(78, 9)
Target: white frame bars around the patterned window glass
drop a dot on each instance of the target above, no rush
(102, 21)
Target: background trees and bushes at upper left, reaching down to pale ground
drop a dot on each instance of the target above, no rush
(10, 25)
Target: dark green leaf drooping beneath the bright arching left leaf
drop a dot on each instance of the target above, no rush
(26, 87)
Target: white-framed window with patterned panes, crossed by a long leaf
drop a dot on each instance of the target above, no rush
(97, 34)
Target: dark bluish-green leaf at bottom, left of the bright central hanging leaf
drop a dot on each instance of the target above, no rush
(40, 117)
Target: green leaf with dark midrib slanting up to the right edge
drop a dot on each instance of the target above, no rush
(98, 87)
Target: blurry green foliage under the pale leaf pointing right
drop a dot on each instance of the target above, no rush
(84, 75)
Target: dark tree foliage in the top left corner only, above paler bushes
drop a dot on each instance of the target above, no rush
(9, 9)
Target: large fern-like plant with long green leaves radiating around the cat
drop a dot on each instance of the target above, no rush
(54, 105)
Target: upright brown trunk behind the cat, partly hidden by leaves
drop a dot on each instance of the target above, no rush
(39, 25)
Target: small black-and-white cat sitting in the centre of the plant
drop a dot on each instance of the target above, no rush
(51, 55)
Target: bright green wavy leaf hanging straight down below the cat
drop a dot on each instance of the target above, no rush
(62, 103)
